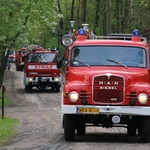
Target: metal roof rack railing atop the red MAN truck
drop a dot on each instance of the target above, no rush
(120, 36)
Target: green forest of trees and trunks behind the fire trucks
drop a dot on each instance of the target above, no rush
(25, 22)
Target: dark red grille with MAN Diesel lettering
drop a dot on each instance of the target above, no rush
(108, 89)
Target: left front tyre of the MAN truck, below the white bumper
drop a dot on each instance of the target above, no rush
(69, 128)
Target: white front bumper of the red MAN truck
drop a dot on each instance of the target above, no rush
(108, 110)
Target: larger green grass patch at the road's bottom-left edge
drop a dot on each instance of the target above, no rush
(7, 129)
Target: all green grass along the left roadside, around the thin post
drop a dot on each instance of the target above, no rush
(6, 125)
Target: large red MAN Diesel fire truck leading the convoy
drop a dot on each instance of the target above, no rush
(106, 84)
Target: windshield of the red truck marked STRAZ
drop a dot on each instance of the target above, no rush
(42, 57)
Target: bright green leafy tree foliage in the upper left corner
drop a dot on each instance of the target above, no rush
(22, 20)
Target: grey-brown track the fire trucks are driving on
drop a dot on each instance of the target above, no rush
(40, 126)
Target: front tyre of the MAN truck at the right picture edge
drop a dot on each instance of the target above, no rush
(145, 130)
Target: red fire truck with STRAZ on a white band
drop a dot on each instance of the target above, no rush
(40, 70)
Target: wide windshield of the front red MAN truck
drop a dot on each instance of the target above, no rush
(108, 56)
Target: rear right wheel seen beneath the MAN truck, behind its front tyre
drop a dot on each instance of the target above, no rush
(131, 128)
